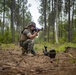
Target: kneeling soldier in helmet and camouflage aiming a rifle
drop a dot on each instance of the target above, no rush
(27, 37)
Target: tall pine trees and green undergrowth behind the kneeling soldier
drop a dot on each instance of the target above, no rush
(58, 19)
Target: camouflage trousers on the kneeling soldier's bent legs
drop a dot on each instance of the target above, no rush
(27, 46)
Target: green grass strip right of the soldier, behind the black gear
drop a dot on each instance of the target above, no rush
(57, 47)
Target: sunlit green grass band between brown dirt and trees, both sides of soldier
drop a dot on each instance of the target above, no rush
(40, 46)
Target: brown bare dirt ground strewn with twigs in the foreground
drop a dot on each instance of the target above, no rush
(13, 63)
